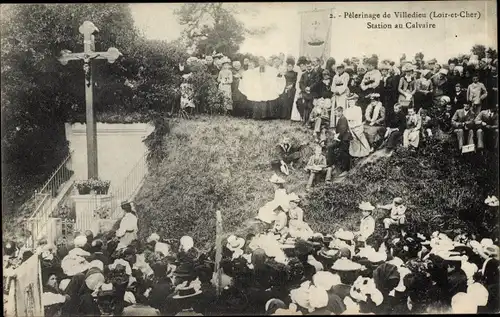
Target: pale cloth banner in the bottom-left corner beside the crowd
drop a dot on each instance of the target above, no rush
(25, 293)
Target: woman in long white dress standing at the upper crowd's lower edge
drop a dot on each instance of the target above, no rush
(359, 146)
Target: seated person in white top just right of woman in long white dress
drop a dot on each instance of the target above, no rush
(375, 120)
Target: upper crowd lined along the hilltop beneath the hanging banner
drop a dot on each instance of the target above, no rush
(358, 106)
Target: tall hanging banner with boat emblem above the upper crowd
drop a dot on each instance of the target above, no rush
(315, 34)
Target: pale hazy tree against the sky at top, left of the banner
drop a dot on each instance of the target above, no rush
(213, 27)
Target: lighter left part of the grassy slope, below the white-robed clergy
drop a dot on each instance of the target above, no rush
(215, 159)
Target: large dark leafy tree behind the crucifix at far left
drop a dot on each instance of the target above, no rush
(39, 94)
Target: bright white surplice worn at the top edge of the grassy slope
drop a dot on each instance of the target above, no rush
(266, 86)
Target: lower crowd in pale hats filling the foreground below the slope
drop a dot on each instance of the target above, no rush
(285, 269)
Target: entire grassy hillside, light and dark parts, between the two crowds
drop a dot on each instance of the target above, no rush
(226, 160)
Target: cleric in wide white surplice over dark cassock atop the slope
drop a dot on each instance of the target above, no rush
(262, 87)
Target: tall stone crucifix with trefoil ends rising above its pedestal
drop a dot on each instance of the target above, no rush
(88, 29)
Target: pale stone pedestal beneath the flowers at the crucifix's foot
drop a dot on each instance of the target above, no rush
(85, 205)
